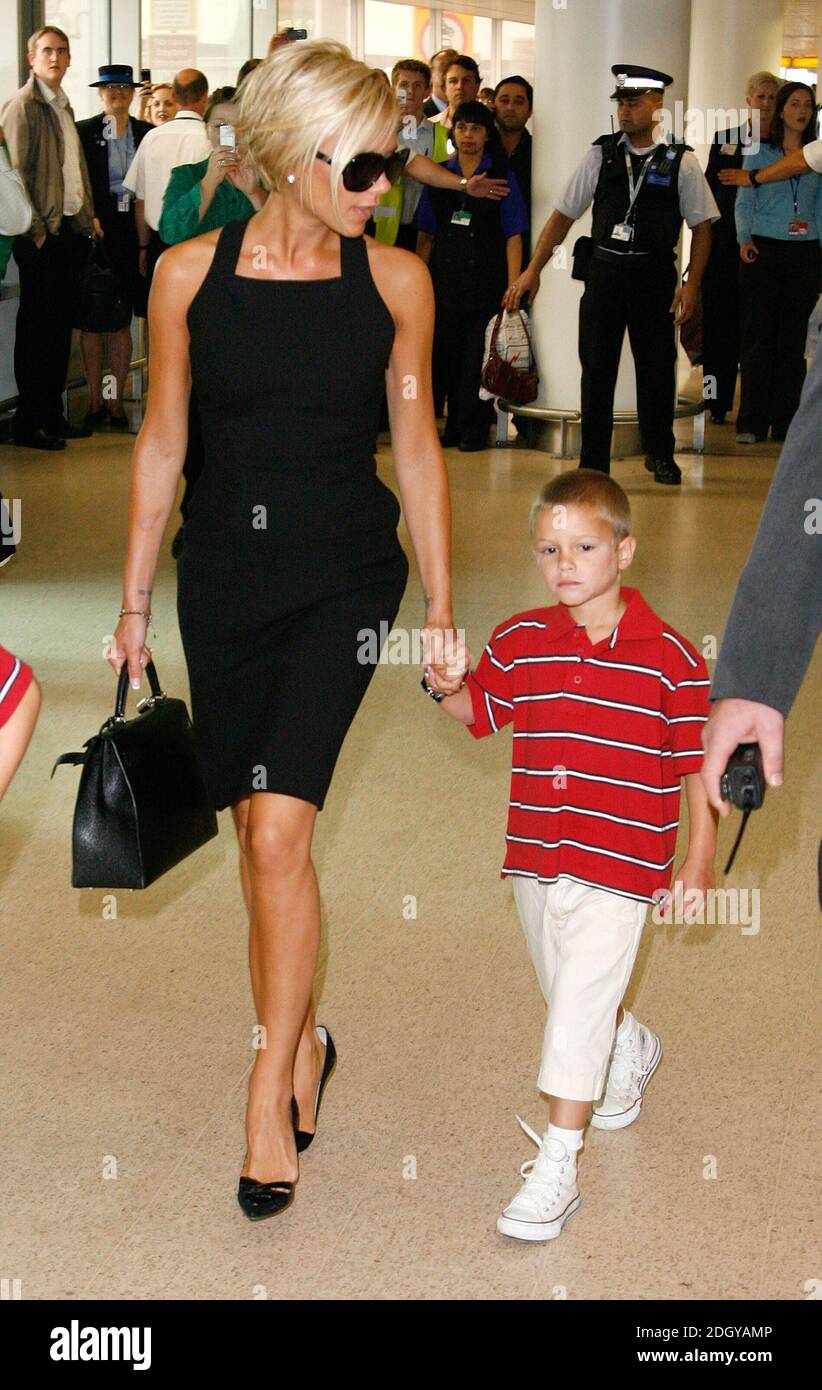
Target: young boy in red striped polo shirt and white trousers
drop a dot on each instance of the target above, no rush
(607, 704)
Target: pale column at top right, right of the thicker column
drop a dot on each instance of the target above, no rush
(731, 41)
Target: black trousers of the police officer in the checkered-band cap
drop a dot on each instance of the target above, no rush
(639, 300)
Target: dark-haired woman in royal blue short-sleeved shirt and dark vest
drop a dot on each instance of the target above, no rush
(474, 248)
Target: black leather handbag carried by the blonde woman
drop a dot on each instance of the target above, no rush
(143, 804)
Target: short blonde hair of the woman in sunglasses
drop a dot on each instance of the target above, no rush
(304, 95)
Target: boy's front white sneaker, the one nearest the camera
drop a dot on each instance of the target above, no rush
(549, 1196)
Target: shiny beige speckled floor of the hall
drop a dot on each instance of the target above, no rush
(130, 1039)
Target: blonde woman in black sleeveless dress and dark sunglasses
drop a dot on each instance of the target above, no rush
(290, 325)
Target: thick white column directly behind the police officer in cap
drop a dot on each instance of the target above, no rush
(575, 51)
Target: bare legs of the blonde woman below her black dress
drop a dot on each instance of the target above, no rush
(280, 888)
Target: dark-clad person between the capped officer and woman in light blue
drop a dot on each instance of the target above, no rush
(721, 330)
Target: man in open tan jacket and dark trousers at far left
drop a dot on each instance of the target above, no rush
(44, 144)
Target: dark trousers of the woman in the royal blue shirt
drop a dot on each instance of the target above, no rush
(460, 348)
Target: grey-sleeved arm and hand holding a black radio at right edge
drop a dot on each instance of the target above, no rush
(777, 612)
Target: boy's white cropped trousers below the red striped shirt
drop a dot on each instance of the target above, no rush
(583, 943)
